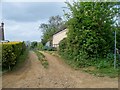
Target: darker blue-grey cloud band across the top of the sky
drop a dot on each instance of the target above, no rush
(27, 12)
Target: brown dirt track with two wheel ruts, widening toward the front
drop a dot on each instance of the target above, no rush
(58, 75)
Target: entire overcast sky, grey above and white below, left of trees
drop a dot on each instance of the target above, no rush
(22, 19)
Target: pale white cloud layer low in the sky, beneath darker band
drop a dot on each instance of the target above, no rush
(15, 31)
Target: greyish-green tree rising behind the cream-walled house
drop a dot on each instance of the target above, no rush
(54, 24)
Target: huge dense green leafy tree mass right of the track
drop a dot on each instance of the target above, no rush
(90, 36)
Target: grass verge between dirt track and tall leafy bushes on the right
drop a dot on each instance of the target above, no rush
(100, 72)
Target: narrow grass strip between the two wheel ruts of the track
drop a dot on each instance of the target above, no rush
(42, 59)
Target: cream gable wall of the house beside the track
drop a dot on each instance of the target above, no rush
(58, 37)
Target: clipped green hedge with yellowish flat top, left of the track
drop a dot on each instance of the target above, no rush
(10, 52)
